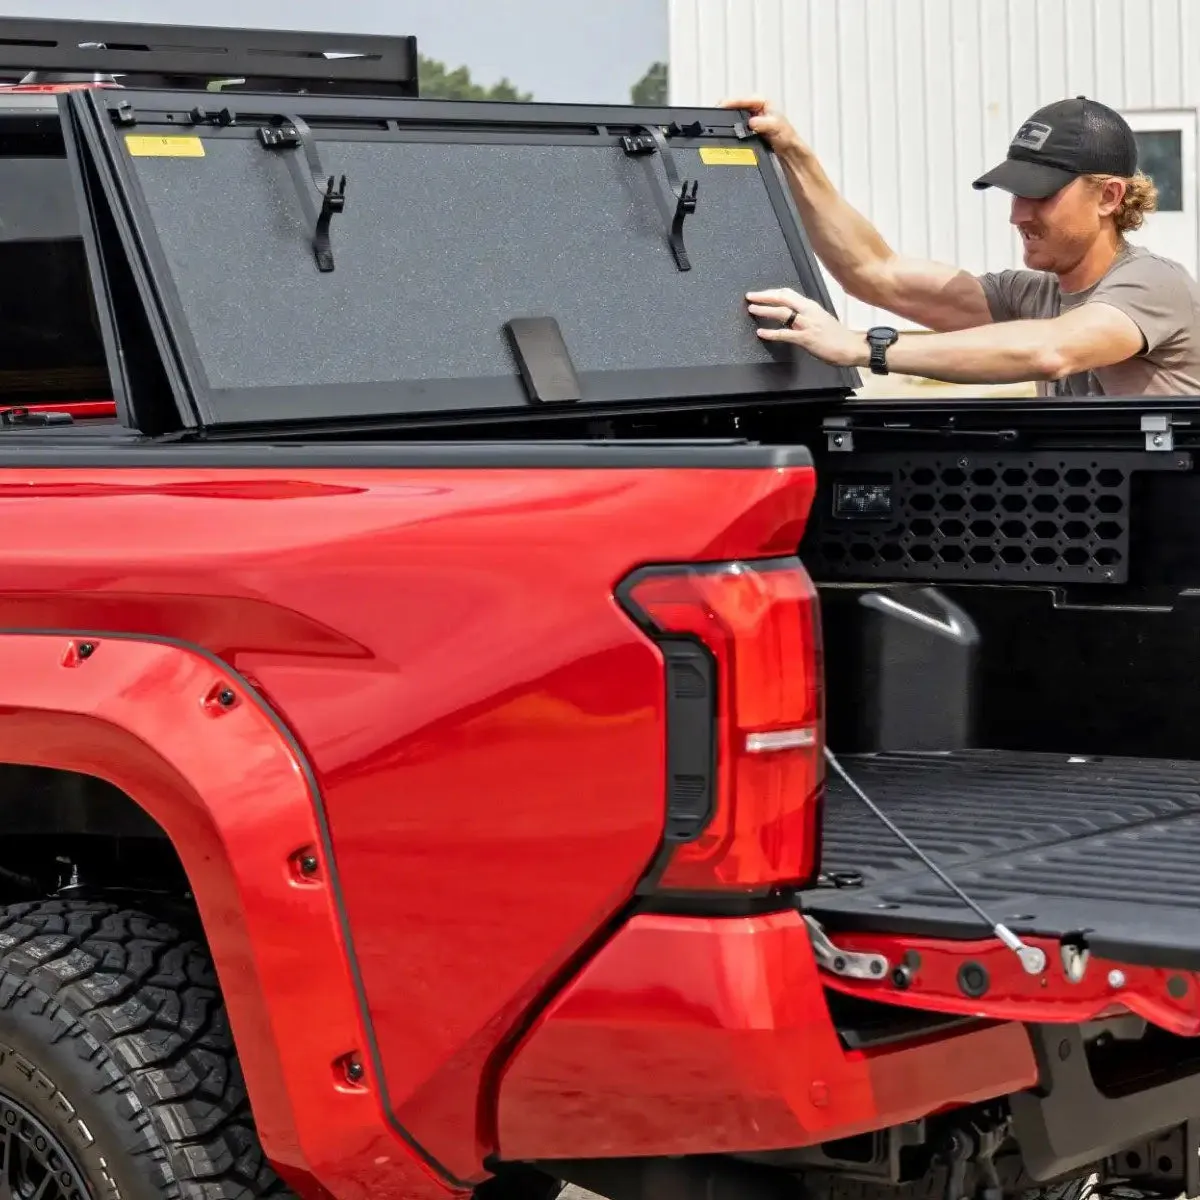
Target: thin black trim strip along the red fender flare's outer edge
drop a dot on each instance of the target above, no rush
(327, 842)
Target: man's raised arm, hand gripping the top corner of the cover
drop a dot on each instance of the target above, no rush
(932, 295)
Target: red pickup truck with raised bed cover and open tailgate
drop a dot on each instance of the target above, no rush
(476, 719)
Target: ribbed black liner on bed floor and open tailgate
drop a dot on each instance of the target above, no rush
(1052, 845)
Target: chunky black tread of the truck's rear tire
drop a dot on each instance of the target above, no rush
(142, 1005)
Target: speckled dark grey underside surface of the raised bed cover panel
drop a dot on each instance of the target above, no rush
(430, 265)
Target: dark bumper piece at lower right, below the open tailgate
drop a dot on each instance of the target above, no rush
(1069, 1124)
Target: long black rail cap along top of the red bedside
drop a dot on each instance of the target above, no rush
(47, 451)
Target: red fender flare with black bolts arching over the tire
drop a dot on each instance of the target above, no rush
(194, 745)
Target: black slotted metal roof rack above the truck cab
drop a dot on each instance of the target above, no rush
(37, 52)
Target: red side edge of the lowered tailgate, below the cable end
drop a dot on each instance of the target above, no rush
(1162, 997)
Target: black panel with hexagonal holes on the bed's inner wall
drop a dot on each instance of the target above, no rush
(1060, 517)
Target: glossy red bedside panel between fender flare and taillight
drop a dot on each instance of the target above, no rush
(485, 725)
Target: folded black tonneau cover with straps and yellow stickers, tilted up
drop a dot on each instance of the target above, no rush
(315, 259)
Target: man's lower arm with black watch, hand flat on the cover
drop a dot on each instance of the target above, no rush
(1087, 339)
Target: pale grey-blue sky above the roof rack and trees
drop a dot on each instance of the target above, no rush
(562, 51)
